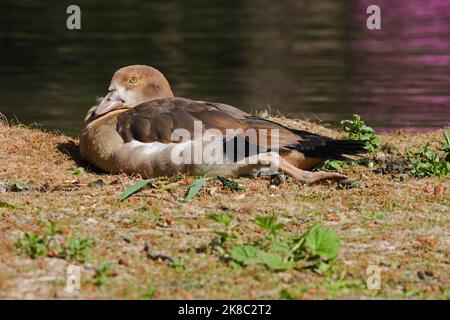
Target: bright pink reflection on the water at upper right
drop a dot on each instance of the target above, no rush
(403, 70)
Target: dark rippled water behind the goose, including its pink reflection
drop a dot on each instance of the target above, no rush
(311, 59)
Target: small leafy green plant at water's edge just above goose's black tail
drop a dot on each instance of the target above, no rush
(356, 129)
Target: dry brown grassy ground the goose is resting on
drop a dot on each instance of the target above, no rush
(157, 245)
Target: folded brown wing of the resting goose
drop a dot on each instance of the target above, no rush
(156, 121)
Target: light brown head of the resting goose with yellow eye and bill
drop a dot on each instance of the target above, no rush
(134, 85)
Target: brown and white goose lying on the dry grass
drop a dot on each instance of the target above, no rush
(141, 128)
